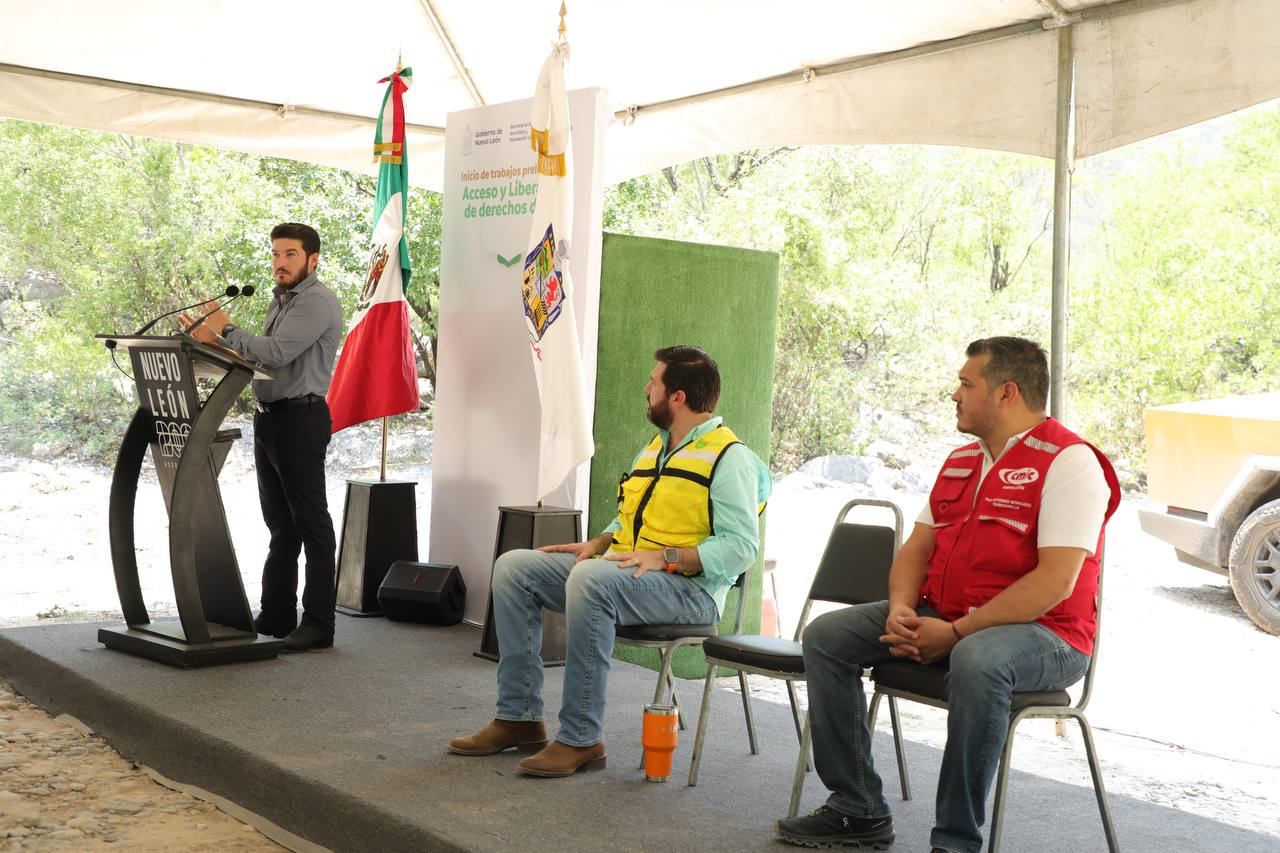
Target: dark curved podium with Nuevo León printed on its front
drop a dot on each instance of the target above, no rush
(216, 624)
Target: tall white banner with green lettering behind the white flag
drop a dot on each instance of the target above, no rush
(487, 410)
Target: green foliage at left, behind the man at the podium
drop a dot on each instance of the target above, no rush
(129, 229)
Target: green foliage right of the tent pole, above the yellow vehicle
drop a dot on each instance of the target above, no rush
(1180, 299)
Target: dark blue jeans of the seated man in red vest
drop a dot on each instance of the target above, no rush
(986, 669)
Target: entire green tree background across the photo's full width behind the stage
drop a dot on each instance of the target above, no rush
(894, 258)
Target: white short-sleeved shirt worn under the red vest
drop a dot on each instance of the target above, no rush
(1073, 501)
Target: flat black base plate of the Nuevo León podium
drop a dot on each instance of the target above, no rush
(166, 642)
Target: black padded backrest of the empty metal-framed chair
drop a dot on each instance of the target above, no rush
(854, 567)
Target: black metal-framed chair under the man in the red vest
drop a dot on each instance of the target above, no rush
(927, 685)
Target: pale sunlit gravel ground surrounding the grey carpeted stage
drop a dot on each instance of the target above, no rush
(1186, 706)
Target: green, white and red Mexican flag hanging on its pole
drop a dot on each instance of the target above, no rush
(377, 373)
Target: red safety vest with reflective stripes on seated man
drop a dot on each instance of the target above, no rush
(985, 546)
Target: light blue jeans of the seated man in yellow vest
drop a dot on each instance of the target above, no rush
(595, 596)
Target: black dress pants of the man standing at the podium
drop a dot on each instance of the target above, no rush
(289, 450)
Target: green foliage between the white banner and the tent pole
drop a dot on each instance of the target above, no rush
(893, 261)
